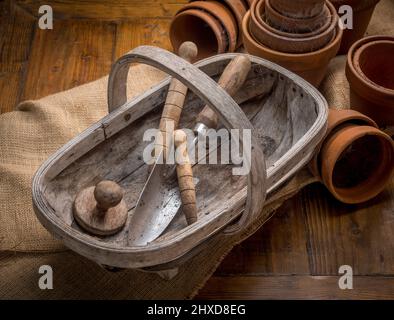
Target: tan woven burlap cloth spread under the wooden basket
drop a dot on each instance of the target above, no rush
(37, 128)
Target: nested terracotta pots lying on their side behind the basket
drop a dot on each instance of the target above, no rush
(214, 26)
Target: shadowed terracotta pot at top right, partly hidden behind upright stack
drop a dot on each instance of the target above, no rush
(362, 13)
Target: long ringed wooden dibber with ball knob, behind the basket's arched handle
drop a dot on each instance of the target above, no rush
(175, 99)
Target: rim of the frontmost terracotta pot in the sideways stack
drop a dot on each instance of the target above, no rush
(210, 20)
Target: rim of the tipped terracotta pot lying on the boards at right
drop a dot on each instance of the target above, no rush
(342, 139)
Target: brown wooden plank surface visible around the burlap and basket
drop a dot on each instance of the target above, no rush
(295, 255)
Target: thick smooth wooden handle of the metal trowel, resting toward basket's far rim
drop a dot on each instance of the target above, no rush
(231, 80)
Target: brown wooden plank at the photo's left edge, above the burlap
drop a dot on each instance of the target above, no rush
(15, 40)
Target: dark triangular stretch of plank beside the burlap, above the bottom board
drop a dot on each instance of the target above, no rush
(279, 247)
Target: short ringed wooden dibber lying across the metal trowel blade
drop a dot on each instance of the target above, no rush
(185, 177)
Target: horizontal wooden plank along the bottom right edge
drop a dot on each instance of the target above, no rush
(296, 287)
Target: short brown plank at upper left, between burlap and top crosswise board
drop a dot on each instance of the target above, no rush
(71, 54)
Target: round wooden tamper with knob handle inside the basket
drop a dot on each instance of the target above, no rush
(101, 210)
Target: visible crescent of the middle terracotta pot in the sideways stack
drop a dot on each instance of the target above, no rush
(222, 14)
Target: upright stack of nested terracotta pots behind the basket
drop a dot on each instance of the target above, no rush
(302, 35)
